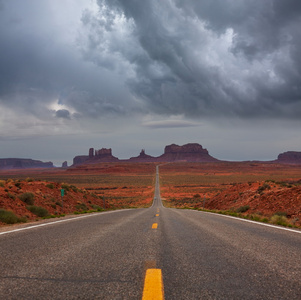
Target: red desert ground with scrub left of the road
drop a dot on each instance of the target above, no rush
(86, 188)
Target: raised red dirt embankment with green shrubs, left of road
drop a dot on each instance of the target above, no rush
(30, 199)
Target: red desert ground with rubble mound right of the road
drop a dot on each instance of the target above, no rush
(266, 189)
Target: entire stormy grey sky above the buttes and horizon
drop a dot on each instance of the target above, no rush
(131, 74)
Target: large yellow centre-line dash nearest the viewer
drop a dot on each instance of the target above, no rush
(153, 285)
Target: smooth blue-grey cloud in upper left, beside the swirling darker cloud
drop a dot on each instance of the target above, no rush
(40, 67)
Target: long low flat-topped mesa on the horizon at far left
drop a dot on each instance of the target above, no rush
(23, 163)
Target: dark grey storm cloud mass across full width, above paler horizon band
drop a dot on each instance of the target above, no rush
(193, 58)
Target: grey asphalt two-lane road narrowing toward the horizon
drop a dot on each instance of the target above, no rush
(106, 255)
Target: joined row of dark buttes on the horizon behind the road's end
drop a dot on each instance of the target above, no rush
(190, 152)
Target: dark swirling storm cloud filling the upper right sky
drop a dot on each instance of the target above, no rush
(200, 58)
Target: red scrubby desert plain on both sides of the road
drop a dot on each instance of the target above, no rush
(268, 192)
